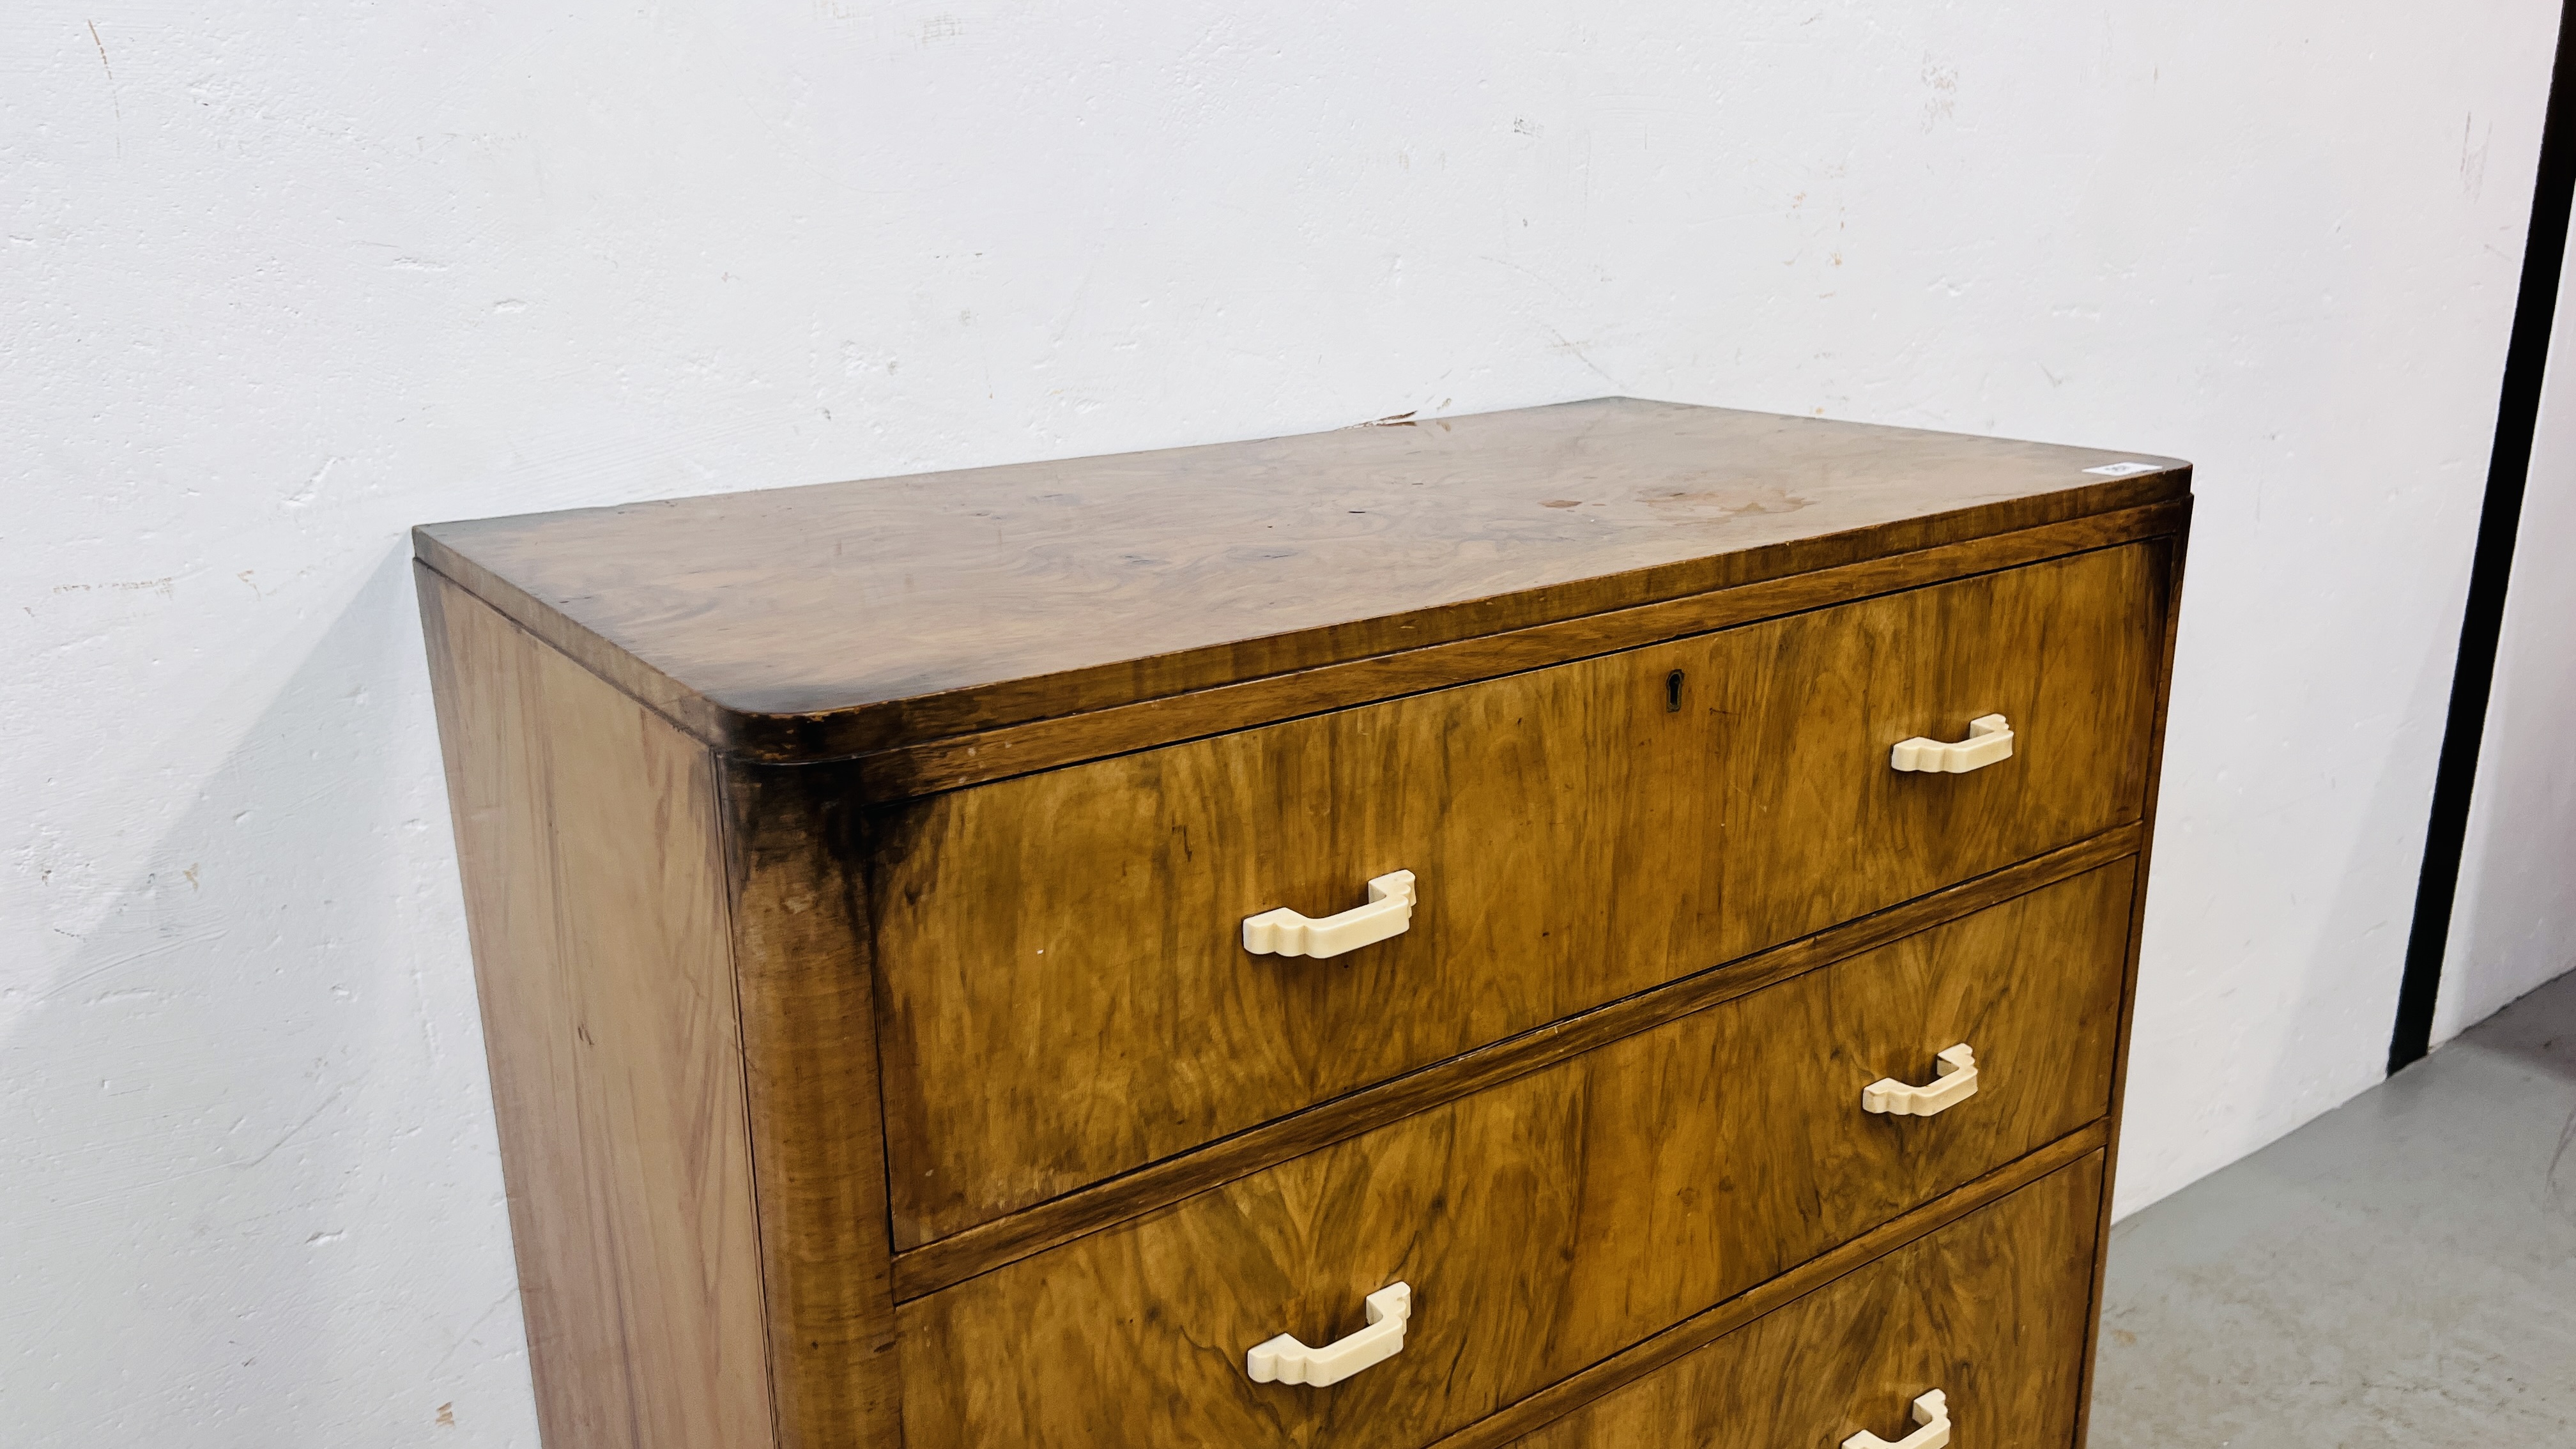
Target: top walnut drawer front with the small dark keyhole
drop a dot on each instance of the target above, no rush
(1065, 986)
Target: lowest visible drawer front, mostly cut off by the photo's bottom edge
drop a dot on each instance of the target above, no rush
(1990, 1314)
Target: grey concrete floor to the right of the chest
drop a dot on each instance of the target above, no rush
(2397, 1272)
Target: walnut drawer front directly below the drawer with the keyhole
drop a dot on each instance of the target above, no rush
(1552, 1221)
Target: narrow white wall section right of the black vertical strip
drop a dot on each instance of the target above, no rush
(2515, 917)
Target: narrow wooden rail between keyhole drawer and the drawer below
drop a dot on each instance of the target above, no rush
(1060, 1221)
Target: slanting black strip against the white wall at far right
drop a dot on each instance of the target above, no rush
(2490, 571)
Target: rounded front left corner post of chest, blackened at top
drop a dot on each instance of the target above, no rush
(818, 1143)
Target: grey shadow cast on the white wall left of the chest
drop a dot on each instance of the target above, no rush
(254, 1102)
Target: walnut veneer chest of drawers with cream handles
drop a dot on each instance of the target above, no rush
(1586, 927)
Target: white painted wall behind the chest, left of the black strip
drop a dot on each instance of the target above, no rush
(287, 277)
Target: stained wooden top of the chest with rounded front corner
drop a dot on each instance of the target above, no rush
(857, 618)
